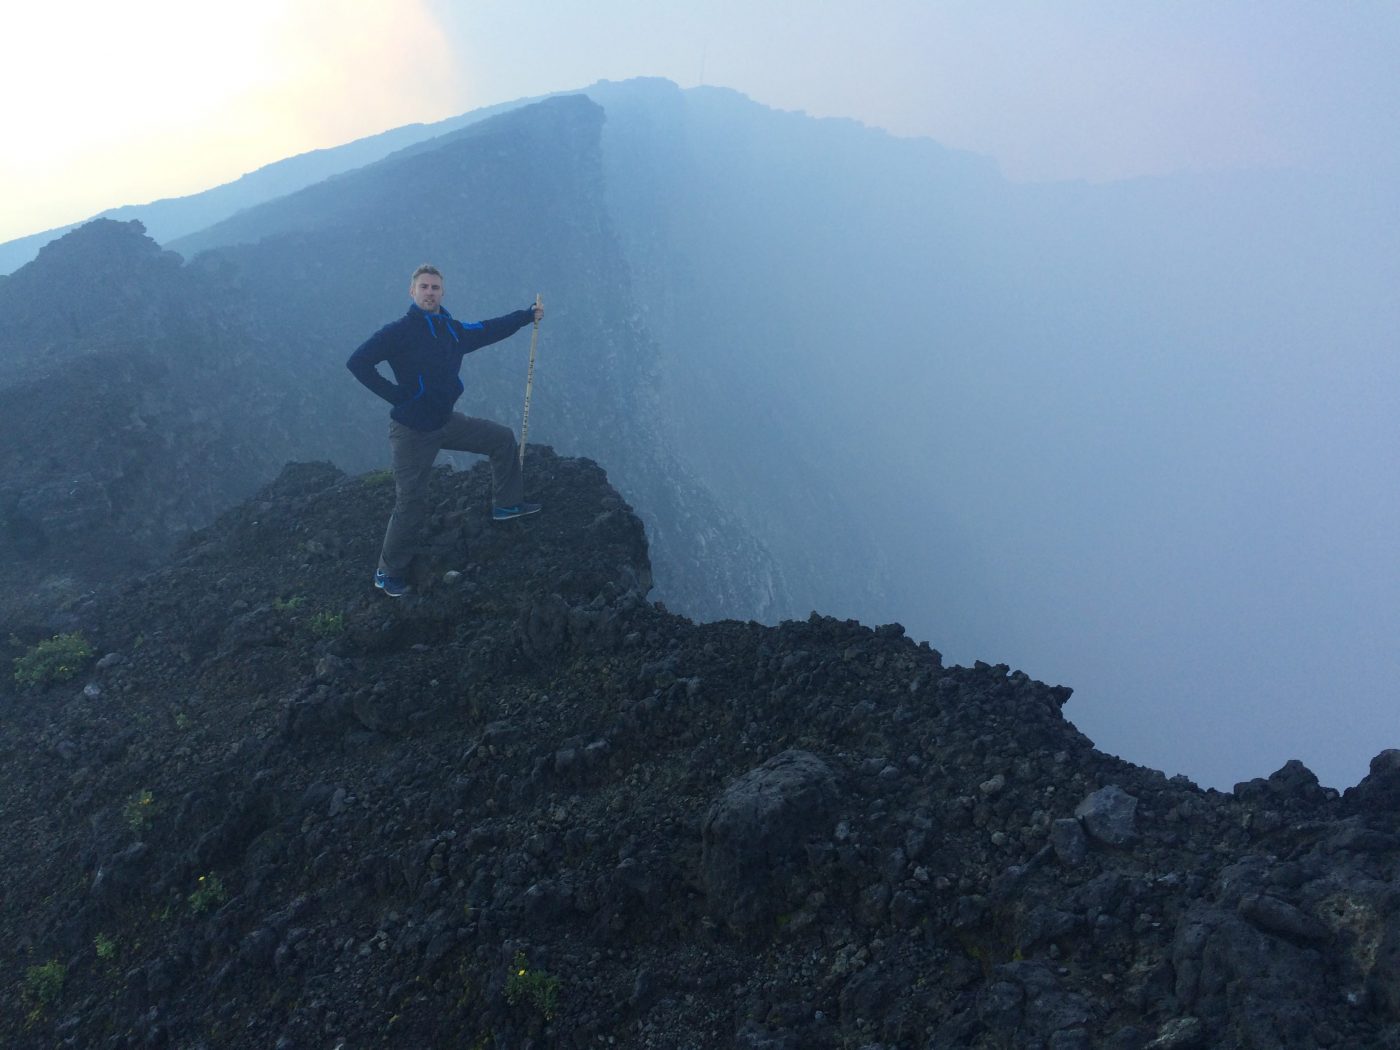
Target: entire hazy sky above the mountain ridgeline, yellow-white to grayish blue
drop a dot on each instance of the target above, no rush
(118, 104)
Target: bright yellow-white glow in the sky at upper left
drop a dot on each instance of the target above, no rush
(162, 97)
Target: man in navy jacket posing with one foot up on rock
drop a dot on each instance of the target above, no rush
(425, 351)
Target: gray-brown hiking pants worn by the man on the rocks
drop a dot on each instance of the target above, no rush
(414, 453)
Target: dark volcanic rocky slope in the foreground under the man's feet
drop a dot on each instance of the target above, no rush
(530, 808)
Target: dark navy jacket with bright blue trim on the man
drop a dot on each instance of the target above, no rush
(425, 352)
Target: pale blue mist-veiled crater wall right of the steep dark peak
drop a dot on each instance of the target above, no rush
(1081, 429)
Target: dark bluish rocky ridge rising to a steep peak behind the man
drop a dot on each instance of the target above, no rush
(141, 394)
